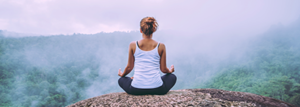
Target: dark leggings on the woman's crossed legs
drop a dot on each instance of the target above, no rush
(169, 81)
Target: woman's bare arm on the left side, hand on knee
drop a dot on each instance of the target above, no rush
(130, 63)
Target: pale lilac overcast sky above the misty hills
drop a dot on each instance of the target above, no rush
(234, 17)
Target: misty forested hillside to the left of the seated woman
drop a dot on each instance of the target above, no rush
(55, 71)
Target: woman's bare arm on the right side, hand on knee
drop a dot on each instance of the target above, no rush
(163, 62)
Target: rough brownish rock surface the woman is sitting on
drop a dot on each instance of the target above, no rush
(183, 98)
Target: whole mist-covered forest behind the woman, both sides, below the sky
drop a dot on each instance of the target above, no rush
(60, 70)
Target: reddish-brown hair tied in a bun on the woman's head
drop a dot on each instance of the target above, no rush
(148, 25)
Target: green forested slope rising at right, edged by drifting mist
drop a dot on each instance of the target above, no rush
(272, 68)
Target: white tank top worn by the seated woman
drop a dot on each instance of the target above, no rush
(147, 68)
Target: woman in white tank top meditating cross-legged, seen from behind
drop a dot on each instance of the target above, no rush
(149, 58)
